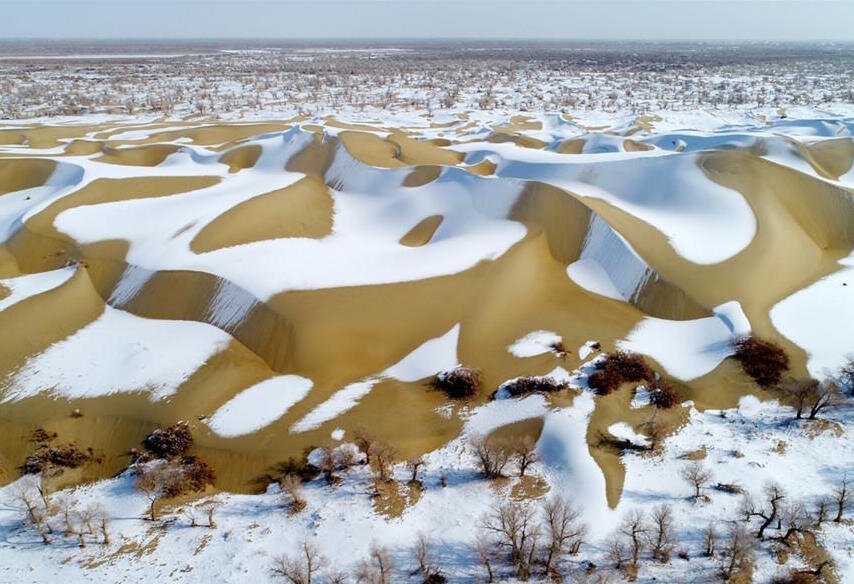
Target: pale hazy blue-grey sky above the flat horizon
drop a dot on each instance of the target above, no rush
(554, 19)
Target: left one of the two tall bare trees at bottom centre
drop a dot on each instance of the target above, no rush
(515, 528)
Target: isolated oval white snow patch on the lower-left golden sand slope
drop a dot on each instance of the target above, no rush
(258, 406)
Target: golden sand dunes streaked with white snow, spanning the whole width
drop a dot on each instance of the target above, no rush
(305, 265)
